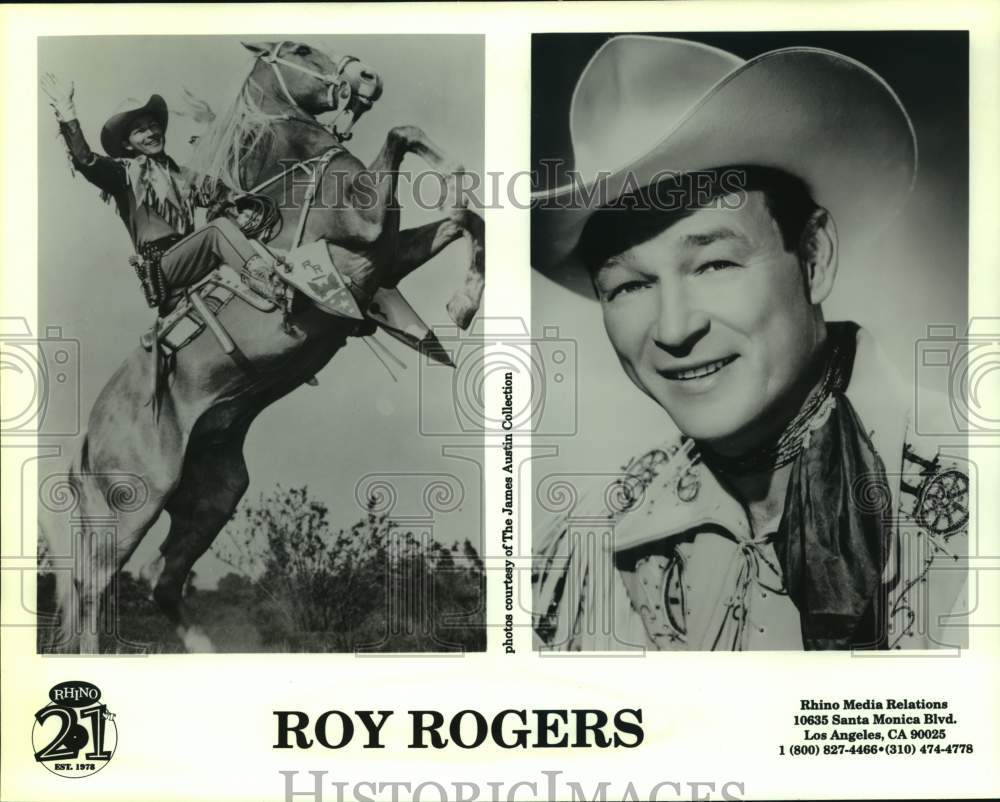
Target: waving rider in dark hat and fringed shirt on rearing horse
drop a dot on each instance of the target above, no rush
(155, 197)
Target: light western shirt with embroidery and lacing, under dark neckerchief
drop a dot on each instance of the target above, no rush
(668, 560)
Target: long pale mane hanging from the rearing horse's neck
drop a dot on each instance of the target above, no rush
(224, 149)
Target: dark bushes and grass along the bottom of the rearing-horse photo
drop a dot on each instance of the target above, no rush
(298, 584)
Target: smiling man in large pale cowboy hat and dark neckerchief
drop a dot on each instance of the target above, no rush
(788, 501)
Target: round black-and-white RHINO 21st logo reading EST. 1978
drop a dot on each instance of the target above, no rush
(75, 734)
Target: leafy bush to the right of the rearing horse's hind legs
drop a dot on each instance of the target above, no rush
(371, 587)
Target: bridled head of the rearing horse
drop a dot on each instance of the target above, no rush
(318, 82)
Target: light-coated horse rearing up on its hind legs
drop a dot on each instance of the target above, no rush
(186, 457)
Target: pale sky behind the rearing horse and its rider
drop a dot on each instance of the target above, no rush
(358, 422)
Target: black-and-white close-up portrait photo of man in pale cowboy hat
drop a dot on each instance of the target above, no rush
(756, 245)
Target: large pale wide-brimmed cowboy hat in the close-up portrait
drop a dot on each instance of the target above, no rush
(646, 106)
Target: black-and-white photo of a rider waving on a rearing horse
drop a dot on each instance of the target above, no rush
(254, 273)
